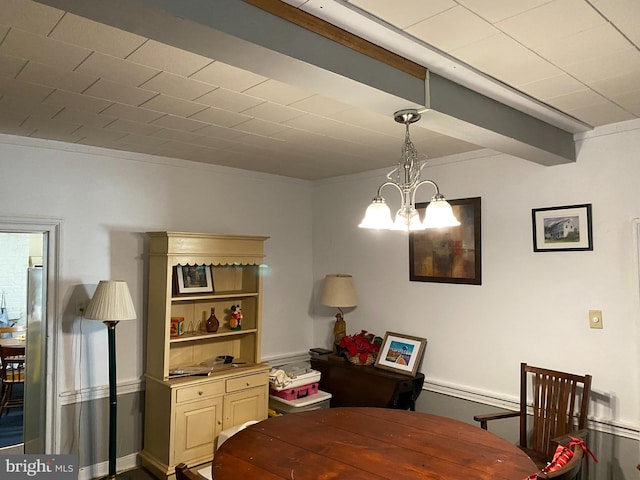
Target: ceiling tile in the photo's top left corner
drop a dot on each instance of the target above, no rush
(30, 16)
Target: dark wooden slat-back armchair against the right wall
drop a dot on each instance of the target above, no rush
(560, 404)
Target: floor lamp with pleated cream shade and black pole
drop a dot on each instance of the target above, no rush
(111, 303)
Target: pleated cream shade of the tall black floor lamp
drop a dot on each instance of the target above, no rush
(111, 302)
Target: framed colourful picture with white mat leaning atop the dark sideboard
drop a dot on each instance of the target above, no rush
(401, 353)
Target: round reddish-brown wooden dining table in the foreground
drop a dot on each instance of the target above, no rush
(367, 444)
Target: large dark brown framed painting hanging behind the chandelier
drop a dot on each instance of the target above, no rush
(450, 254)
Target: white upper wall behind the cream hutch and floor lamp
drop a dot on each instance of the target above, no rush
(107, 200)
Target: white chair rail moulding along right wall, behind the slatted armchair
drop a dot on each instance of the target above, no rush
(493, 399)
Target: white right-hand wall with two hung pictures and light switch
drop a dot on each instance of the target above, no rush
(530, 307)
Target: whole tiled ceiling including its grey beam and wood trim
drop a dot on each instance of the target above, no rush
(308, 89)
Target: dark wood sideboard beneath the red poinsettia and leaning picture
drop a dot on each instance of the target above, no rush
(365, 385)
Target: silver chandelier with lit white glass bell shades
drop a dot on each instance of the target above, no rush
(406, 178)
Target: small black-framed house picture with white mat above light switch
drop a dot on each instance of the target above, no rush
(562, 229)
